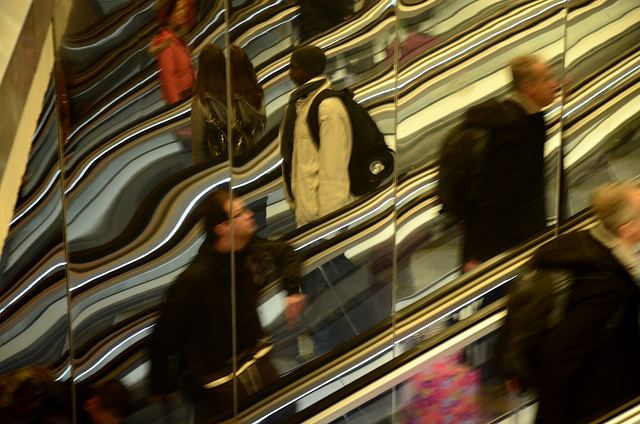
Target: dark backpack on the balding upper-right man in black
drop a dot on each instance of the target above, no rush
(462, 158)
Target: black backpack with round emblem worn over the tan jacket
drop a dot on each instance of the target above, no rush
(371, 160)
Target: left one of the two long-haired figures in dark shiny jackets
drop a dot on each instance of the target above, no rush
(209, 102)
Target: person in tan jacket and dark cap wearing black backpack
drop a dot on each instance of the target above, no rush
(332, 149)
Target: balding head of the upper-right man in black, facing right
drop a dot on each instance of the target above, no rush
(532, 77)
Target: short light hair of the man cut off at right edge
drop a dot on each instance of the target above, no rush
(612, 204)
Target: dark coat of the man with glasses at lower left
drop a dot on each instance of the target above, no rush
(195, 323)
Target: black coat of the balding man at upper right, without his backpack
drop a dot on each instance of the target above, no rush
(511, 207)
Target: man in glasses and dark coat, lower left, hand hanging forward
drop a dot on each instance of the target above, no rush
(196, 323)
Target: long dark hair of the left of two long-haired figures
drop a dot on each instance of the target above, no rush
(211, 78)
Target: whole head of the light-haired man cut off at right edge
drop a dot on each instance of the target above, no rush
(617, 205)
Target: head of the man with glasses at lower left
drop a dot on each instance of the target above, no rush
(216, 209)
